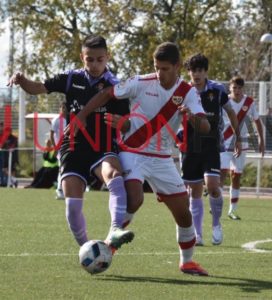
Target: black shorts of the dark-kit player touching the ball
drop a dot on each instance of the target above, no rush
(81, 160)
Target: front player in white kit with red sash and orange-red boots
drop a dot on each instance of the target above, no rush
(157, 102)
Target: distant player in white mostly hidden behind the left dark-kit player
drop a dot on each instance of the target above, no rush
(56, 135)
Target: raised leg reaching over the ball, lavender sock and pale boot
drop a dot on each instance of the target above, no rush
(110, 172)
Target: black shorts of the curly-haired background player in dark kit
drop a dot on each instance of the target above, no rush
(195, 165)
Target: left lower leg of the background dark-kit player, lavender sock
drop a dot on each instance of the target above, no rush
(197, 209)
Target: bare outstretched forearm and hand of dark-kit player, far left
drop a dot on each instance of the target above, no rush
(30, 86)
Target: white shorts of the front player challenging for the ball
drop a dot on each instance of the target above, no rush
(161, 173)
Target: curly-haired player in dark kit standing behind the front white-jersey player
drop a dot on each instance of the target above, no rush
(201, 159)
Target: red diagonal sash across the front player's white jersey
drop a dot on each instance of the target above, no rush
(150, 128)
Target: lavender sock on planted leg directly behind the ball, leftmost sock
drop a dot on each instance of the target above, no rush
(76, 220)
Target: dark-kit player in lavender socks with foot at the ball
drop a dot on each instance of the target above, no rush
(93, 150)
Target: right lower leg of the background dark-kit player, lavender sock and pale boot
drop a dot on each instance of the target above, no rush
(216, 205)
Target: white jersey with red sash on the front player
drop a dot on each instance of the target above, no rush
(154, 117)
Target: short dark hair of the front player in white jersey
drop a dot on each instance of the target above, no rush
(167, 52)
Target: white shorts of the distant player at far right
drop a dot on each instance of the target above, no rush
(235, 164)
